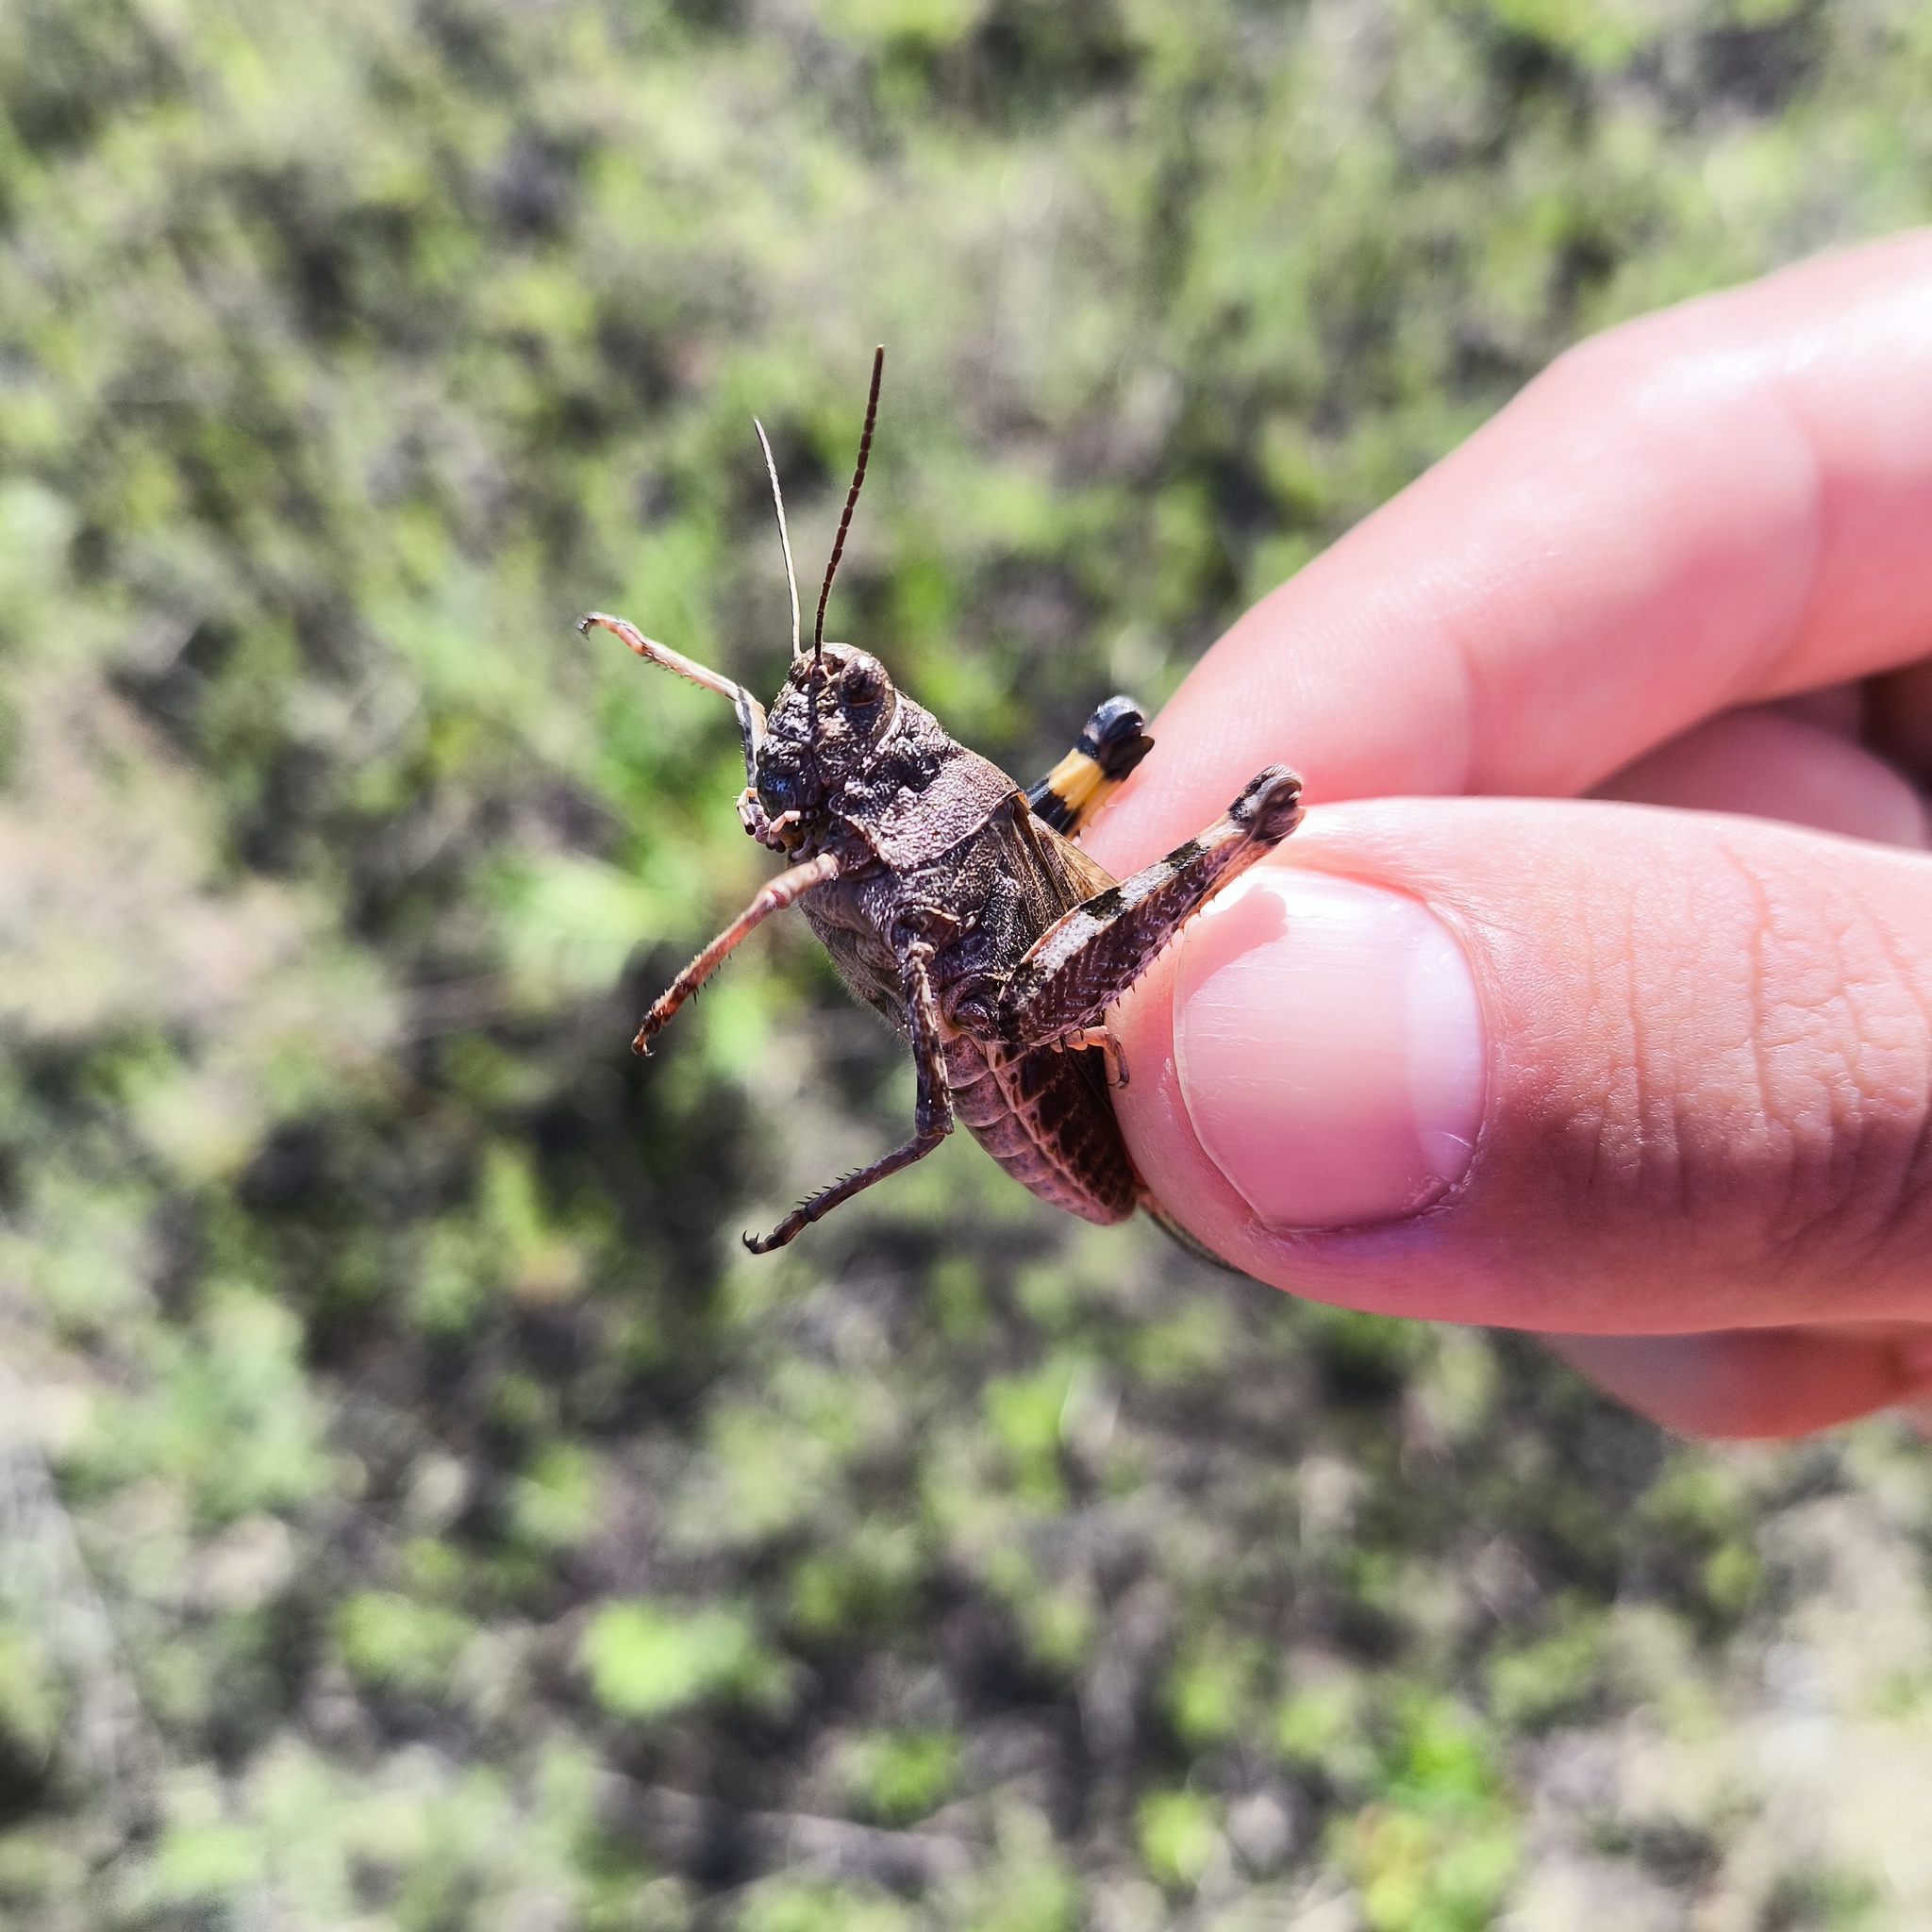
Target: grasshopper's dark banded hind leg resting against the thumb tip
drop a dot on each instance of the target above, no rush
(1093, 955)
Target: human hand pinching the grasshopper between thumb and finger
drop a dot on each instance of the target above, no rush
(1508, 1044)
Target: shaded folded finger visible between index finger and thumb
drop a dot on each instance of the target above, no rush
(1776, 768)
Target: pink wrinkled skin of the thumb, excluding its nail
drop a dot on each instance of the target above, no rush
(1709, 1075)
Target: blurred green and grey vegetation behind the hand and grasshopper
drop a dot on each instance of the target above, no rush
(416, 1512)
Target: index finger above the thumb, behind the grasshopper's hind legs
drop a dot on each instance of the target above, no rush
(1720, 503)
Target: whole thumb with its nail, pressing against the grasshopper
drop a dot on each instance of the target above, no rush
(1581, 1067)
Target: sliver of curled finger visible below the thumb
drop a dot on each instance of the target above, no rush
(1751, 1384)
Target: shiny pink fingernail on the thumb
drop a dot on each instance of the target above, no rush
(1330, 1048)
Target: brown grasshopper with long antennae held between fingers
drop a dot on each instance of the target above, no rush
(957, 905)
